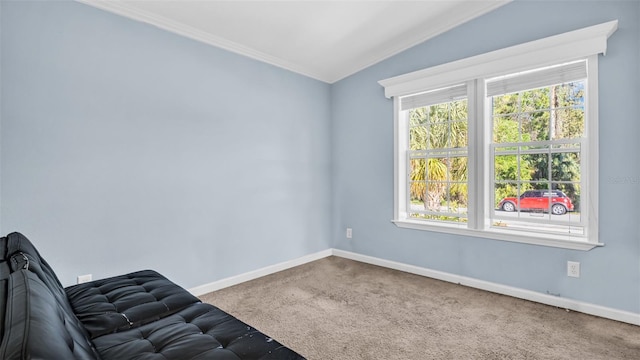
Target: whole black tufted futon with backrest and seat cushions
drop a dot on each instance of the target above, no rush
(141, 315)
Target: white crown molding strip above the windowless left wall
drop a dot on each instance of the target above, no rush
(122, 9)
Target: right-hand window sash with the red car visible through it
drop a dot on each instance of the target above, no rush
(537, 141)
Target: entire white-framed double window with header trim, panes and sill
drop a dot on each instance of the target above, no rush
(503, 145)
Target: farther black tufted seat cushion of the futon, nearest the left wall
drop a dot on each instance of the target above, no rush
(126, 301)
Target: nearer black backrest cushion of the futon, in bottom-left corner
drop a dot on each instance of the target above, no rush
(35, 327)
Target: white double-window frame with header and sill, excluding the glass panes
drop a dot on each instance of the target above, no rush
(586, 43)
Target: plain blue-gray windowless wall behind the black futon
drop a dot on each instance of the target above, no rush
(124, 147)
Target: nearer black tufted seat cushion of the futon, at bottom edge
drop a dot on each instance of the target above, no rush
(200, 331)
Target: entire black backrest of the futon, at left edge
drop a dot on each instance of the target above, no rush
(37, 319)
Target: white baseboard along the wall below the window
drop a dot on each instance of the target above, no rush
(579, 306)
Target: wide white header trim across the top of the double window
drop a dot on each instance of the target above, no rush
(569, 46)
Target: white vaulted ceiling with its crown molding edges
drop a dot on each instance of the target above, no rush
(326, 40)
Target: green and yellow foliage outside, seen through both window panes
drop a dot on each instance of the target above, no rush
(526, 122)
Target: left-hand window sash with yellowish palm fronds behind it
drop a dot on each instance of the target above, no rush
(437, 155)
